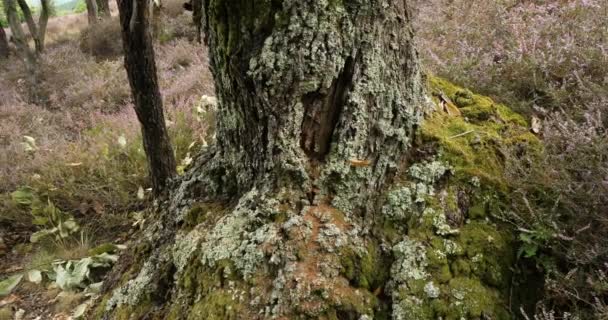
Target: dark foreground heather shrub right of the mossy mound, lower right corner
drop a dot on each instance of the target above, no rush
(560, 201)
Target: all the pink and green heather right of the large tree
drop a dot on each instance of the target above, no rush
(549, 61)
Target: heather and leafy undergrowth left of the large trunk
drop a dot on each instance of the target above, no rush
(73, 177)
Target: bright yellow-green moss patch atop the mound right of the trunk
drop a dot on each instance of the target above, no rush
(473, 142)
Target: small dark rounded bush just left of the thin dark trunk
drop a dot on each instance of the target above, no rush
(102, 40)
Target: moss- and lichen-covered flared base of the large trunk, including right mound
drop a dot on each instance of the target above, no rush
(432, 249)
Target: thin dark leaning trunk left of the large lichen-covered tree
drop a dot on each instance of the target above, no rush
(141, 70)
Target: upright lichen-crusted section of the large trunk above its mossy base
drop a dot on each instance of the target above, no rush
(319, 95)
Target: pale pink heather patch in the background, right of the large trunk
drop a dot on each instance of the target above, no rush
(548, 55)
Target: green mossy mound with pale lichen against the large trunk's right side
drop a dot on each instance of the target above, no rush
(455, 262)
